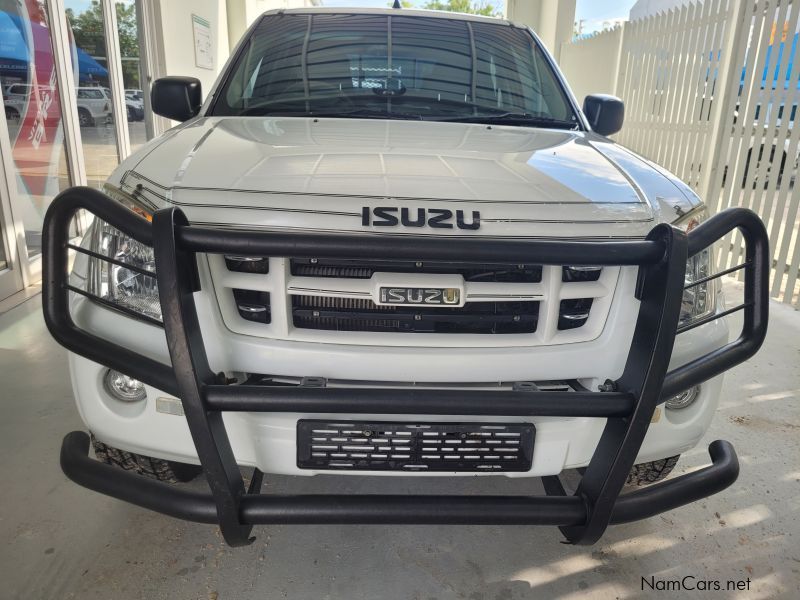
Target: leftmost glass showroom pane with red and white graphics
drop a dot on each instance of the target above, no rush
(33, 113)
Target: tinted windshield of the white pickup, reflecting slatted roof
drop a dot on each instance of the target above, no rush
(394, 67)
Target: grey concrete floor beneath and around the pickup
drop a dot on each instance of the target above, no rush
(61, 541)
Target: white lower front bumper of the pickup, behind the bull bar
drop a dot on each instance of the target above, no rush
(268, 440)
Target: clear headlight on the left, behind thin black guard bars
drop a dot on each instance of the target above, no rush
(131, 285)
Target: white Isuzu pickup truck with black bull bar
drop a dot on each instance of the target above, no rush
(390, 242)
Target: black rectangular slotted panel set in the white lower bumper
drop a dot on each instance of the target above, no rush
(414, 446)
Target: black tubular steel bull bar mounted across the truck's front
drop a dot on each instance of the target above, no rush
(628, 408)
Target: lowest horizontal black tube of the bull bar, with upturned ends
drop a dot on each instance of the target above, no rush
(262, 509)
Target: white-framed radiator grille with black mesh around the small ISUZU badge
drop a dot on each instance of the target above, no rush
(335, 301)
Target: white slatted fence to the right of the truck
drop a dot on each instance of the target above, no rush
(711, 92)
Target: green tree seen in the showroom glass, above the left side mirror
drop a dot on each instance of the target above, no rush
(87, 29)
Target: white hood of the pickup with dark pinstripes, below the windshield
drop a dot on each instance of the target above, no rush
(312, 174)
